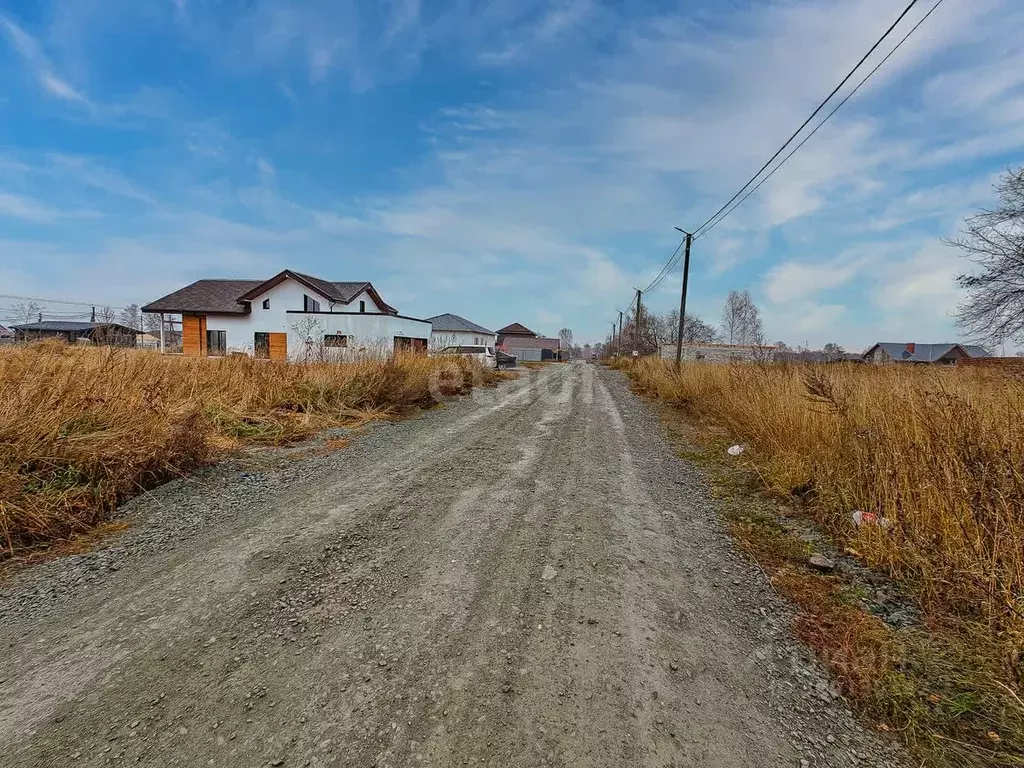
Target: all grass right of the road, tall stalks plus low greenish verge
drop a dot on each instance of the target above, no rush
(937, 453)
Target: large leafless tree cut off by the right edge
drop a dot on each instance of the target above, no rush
(994, 239)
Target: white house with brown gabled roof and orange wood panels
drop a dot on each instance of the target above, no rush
(289, 317)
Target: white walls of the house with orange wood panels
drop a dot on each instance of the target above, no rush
(372, 331)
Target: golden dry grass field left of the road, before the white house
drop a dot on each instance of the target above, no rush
(84, 430)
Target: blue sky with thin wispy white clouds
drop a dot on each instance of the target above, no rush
(506, 161)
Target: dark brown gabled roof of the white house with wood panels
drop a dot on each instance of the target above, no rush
(233, 296)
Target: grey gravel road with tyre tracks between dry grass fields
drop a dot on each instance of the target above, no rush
(526, 577)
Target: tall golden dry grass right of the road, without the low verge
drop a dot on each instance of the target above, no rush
(937, 452)
